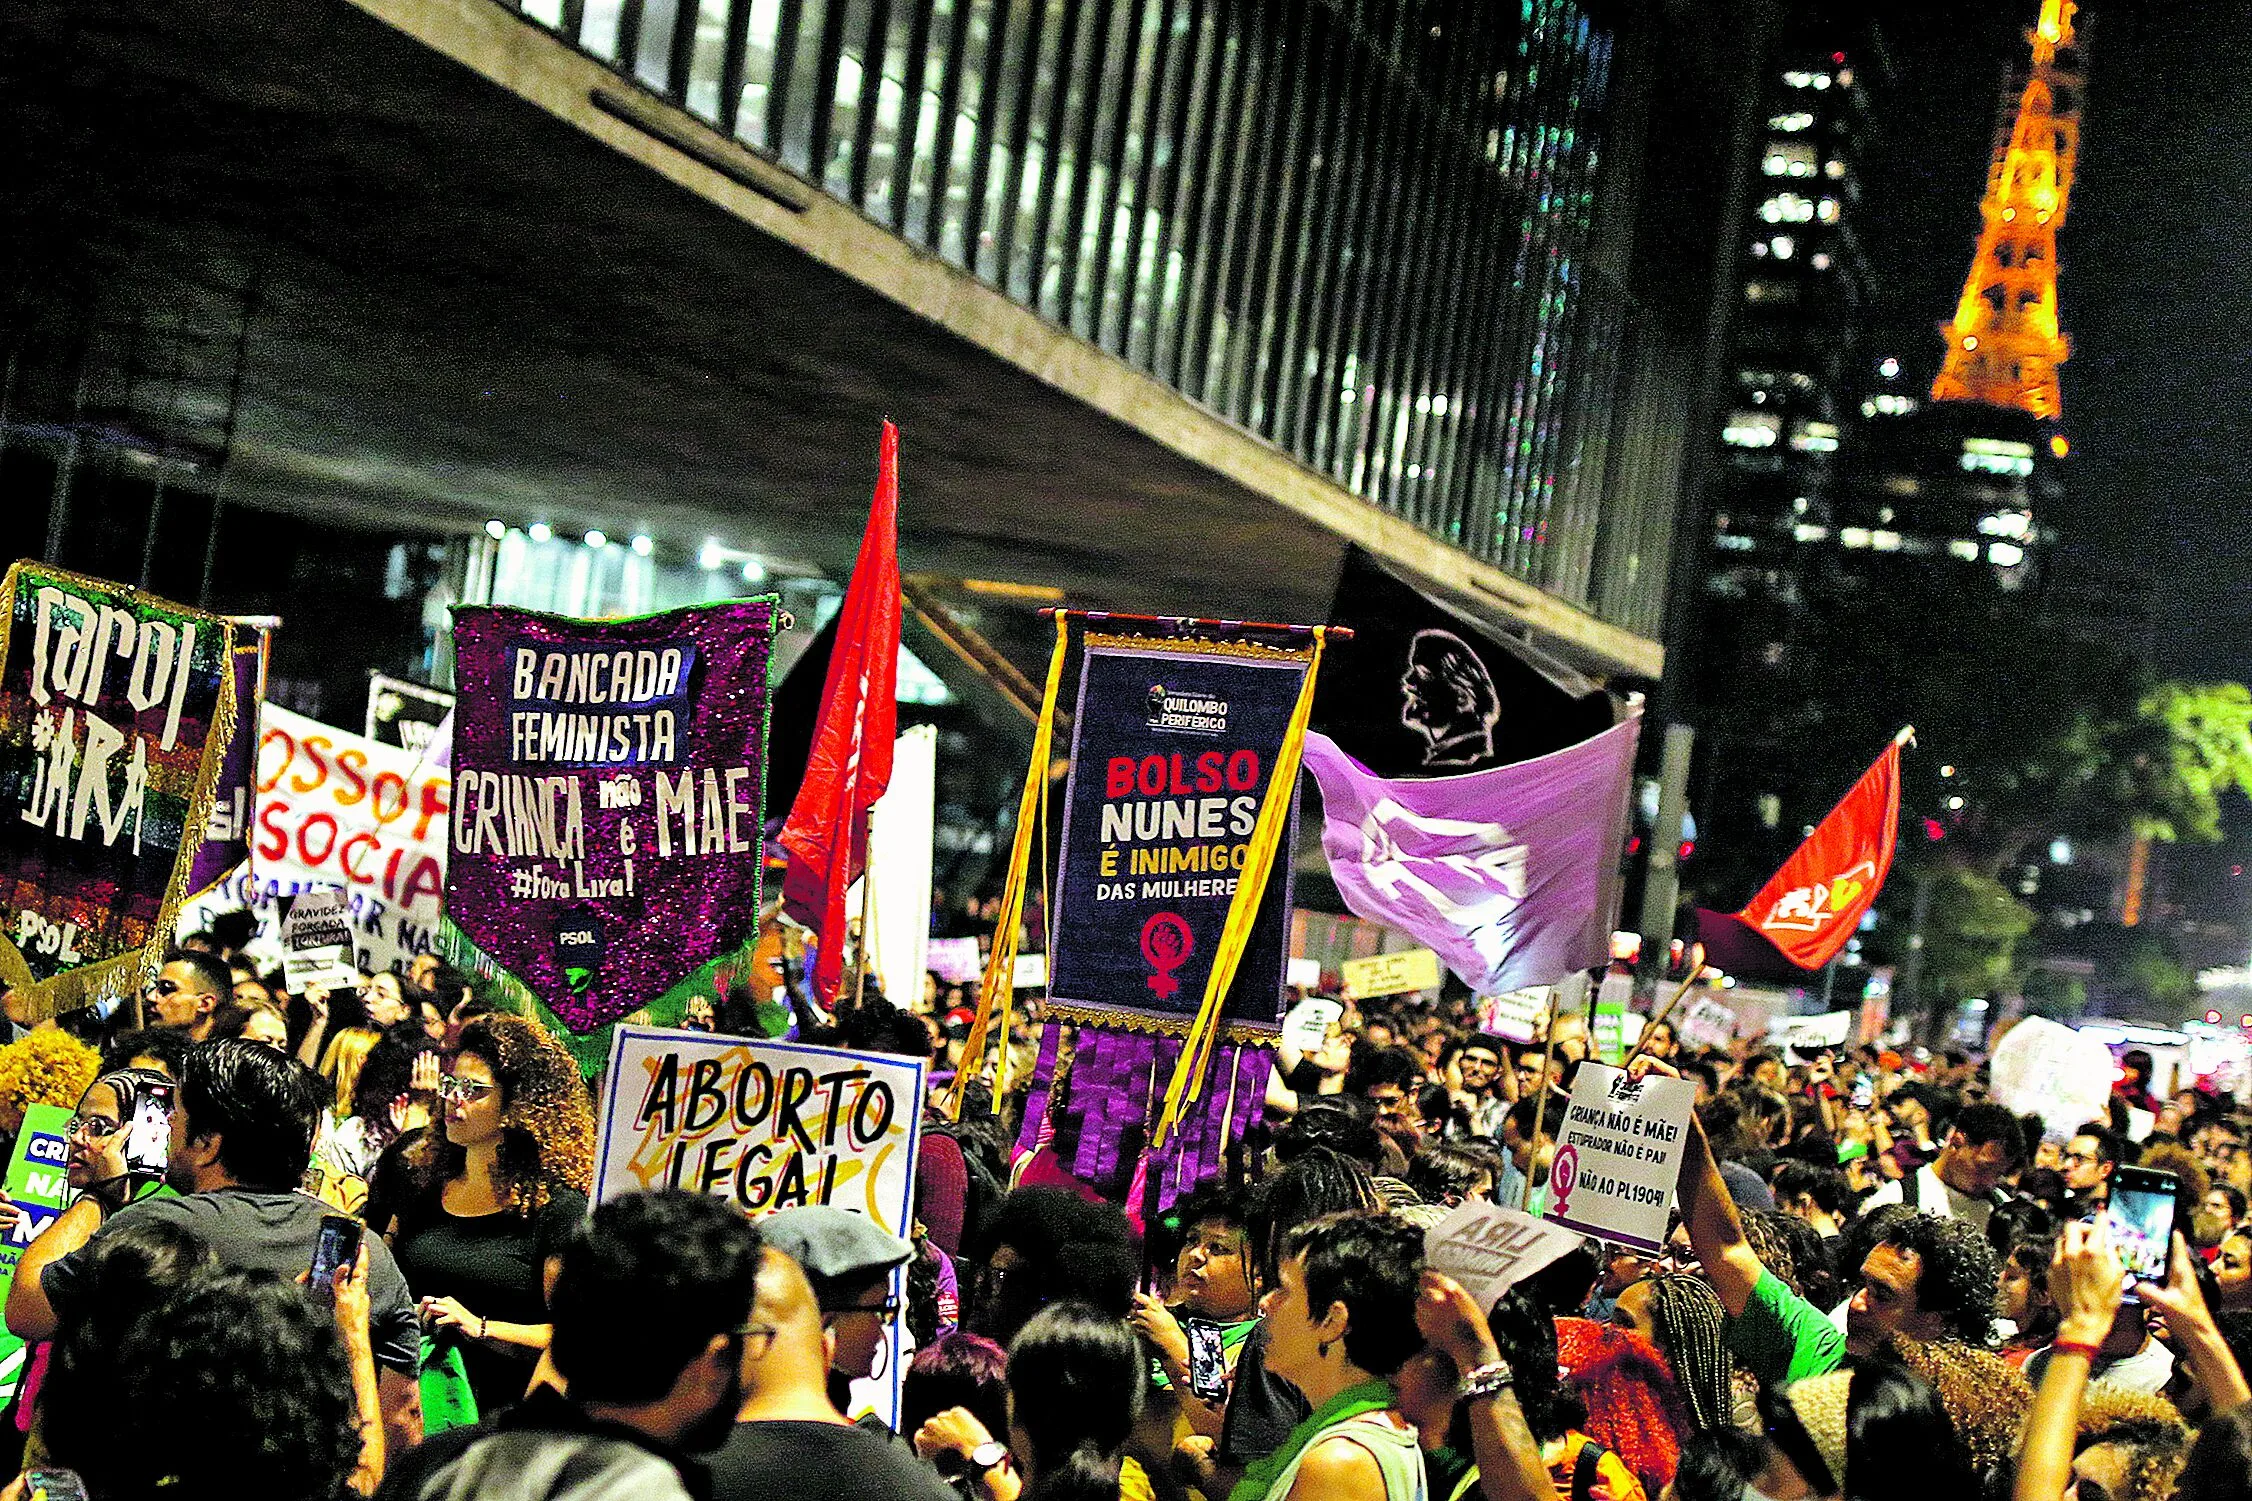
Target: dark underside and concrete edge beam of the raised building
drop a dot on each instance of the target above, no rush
(420, 264)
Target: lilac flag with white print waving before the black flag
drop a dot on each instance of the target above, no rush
(1508, 874)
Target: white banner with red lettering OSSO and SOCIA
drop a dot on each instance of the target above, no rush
(341, 811)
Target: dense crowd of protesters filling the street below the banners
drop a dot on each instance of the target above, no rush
(1879, 1284)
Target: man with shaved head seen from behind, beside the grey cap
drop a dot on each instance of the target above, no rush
(789, 1437)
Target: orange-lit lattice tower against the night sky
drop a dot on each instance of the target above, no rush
(2005, 345)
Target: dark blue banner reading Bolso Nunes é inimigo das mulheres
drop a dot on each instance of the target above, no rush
(1172, 757)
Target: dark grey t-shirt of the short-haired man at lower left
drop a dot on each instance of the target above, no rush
(260, 1232)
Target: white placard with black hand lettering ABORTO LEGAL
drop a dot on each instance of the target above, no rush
(767, 1126)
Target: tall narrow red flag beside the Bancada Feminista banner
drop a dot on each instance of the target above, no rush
(852, 744)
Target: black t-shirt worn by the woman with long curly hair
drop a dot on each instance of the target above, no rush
(492, 1266)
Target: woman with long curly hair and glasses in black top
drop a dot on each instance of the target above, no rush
(492, 1192)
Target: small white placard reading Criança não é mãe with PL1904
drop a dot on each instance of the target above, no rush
(1620, 1156)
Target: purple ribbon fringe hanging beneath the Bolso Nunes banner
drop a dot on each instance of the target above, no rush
(1118, 1086)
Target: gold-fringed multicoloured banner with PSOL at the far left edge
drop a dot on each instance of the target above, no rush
(116, 712)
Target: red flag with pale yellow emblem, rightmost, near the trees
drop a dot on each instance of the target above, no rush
(1816, 901)
